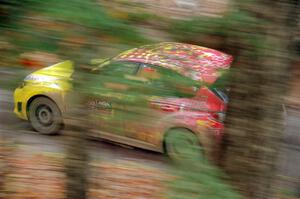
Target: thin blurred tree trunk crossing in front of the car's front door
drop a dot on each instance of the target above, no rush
(77, 158)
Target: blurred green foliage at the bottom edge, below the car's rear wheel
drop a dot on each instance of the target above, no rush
(200, 180)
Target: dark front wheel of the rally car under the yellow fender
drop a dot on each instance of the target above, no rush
(45, 116)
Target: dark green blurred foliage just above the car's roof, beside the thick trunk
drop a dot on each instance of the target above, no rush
(195, 29)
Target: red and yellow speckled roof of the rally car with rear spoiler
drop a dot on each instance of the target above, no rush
(199, 63)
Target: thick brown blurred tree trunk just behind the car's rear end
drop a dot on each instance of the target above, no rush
(260, 76)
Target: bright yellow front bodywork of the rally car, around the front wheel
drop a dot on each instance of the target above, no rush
(52, 81)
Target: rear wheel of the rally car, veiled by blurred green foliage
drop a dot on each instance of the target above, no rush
(181, 144)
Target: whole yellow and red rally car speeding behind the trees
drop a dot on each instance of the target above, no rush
(161, 97)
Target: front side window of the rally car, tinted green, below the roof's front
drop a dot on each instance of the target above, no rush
(118, 69)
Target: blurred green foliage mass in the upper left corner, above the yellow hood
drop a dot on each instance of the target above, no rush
(86, 19)
